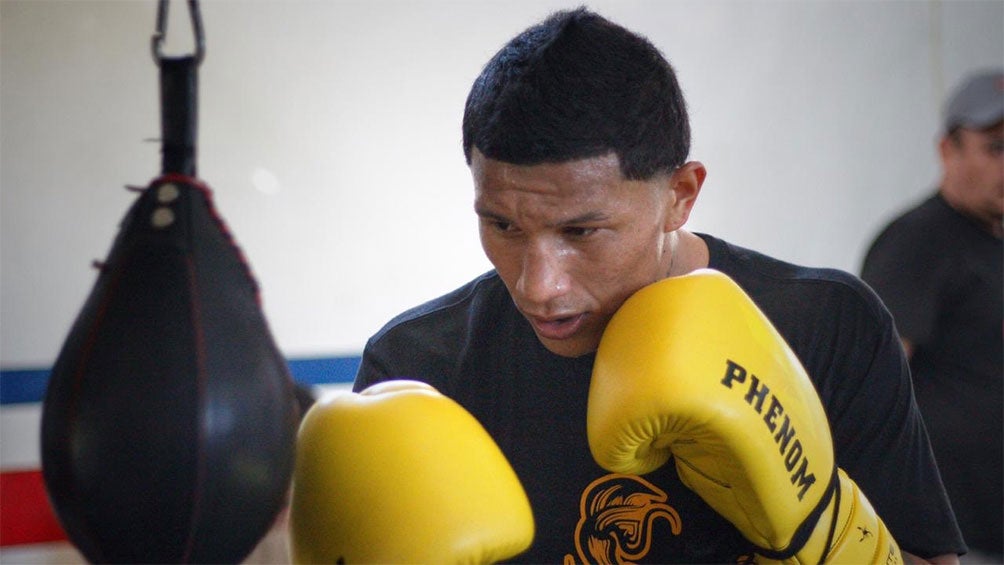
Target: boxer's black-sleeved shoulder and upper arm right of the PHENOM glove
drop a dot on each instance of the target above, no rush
(846, 340)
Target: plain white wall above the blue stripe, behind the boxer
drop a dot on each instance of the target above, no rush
(331, 133)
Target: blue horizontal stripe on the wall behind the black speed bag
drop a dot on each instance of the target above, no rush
(29, 386)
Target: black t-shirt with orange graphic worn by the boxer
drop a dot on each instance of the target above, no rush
(476, 348)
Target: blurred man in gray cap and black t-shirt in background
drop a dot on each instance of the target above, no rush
(938, 268)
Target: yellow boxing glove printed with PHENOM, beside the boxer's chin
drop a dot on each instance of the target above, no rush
(690, 369)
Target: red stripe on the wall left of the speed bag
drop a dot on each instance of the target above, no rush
(26, 514)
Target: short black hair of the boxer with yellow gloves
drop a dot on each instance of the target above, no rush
(576, 87)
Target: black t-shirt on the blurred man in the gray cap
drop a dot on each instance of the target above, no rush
(941, 276)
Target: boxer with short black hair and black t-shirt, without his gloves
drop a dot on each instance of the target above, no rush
(578, 139)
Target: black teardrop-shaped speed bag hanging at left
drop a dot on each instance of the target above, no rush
(169, 424)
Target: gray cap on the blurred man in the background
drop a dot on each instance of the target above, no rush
(978, 103)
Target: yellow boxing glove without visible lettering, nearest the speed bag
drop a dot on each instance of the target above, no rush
(402, 474)
